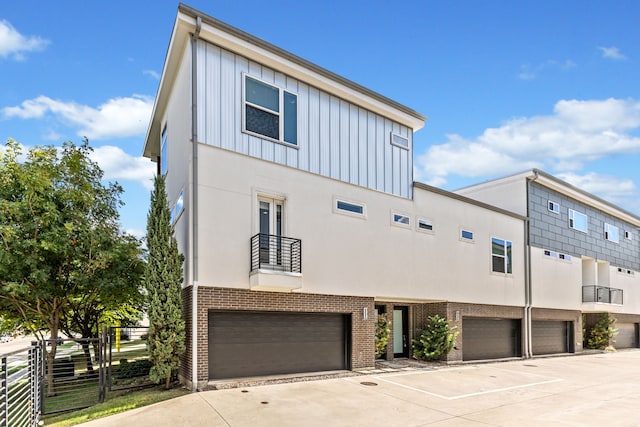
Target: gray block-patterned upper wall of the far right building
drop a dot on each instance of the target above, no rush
(549, 230)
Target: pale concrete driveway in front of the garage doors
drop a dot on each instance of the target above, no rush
(589, 390)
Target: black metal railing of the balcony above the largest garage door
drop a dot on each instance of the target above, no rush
(270, 252)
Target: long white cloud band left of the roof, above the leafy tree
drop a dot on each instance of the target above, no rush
(116, 118)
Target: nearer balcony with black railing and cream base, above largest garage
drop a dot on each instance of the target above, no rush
(276, 263)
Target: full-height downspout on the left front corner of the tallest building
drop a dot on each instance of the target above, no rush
(194, 202)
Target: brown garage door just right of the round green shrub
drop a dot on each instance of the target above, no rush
(490, 338)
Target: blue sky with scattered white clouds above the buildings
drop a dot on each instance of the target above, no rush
(506, 86)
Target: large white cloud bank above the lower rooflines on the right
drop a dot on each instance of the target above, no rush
(577, 132)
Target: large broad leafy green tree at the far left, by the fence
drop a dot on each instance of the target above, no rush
(55, 217)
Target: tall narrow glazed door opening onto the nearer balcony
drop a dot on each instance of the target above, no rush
(270, 214)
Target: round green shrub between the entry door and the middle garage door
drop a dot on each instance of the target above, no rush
(435, 341)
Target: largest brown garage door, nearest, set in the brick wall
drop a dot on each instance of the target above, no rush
(243, 344)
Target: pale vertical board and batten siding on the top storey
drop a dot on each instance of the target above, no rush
(336, 139)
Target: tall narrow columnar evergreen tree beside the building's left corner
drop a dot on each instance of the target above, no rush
(163, 283)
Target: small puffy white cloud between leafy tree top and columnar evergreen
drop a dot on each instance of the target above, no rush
(118, 165)
